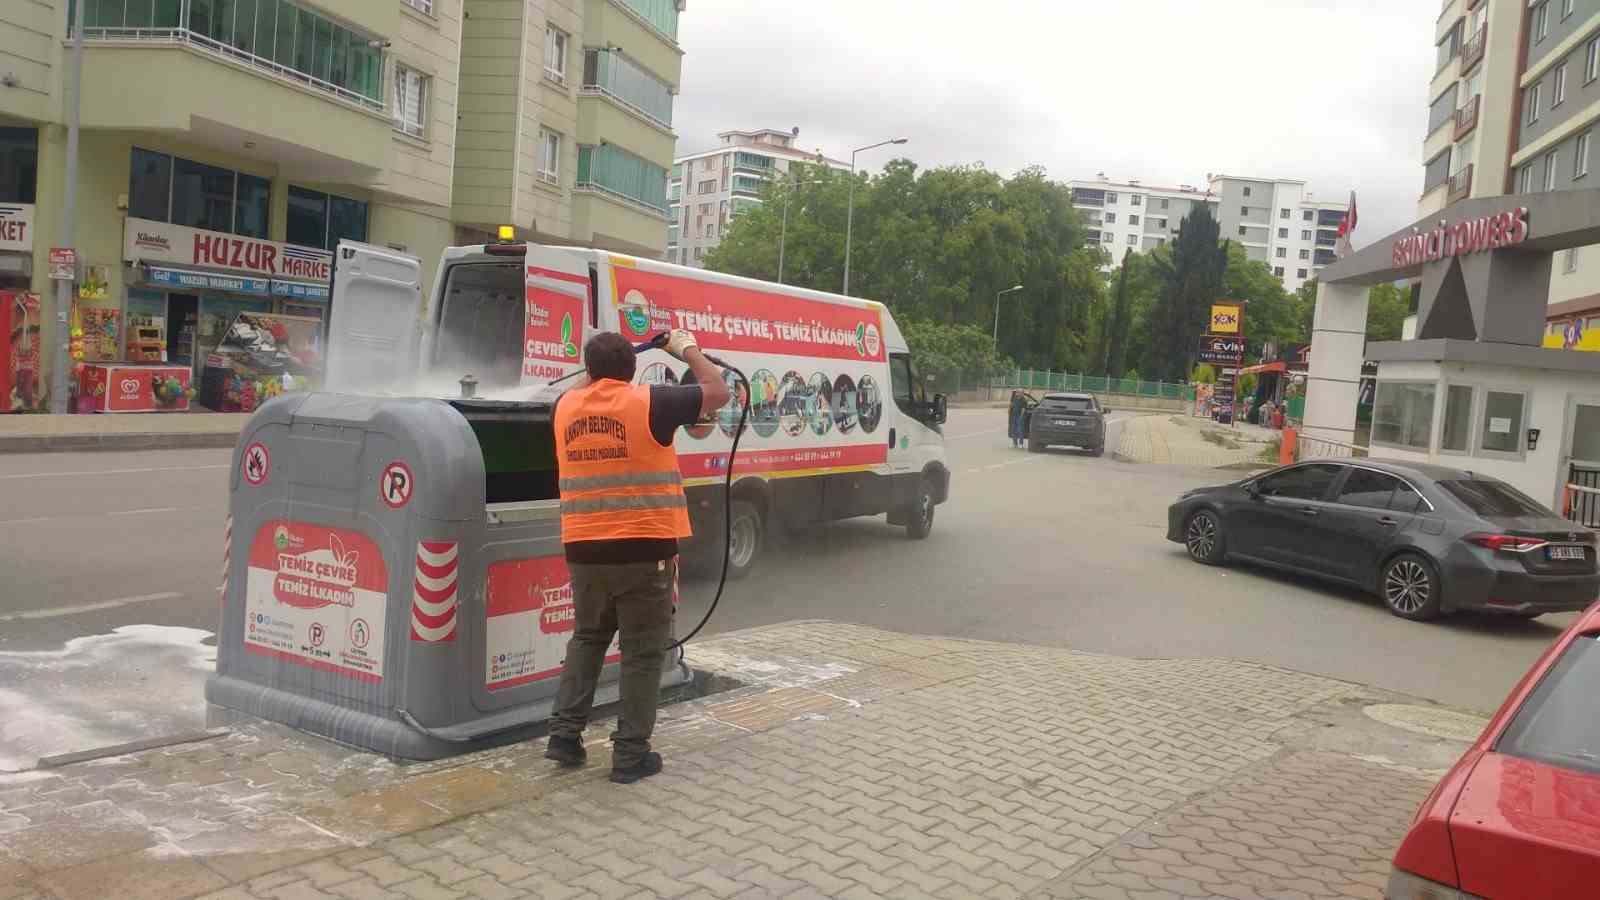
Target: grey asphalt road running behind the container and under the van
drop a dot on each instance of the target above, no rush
(1057, 548)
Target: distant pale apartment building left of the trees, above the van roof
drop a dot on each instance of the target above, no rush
(713, 187)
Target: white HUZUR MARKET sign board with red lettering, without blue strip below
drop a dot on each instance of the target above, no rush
(159, 243)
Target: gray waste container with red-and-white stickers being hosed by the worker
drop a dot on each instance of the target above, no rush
(394, 576)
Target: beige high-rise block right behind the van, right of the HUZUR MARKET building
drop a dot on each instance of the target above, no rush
(566, 124)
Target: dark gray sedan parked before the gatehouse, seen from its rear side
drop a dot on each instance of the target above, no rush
(1430, 540)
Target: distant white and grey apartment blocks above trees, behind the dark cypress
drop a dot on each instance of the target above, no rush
(1278, 222)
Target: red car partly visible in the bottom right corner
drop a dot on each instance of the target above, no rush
(1519, 814)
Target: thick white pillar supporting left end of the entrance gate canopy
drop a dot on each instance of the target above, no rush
(1338, 344)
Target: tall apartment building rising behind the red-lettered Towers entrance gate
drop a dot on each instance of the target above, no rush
(1514, 111)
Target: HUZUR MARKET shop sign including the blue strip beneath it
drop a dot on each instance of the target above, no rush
(194, 259)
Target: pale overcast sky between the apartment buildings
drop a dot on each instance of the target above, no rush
(1159, 90)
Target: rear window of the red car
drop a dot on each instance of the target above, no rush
(1558, 725)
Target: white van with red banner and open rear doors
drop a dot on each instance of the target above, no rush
(841, 424)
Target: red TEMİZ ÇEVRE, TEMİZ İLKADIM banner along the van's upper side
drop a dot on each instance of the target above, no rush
(735, 318)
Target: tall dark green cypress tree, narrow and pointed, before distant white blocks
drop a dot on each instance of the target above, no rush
(1193, 279)
